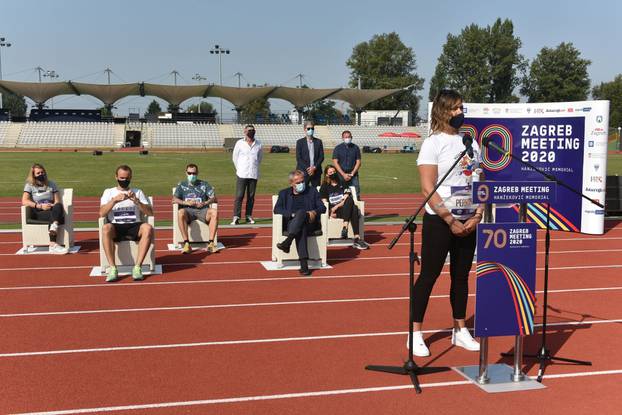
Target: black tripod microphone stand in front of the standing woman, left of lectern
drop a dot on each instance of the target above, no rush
(410, 368)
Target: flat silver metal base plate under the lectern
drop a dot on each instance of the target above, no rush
(499, 379)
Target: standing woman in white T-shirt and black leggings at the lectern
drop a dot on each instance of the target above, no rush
(449, 220)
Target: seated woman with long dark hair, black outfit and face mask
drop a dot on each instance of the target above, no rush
(341, 205)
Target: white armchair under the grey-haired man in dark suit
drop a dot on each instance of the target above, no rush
(317, 243)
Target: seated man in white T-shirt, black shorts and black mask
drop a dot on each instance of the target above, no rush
(122, 206)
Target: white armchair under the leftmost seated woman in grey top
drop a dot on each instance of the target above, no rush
(35, 233)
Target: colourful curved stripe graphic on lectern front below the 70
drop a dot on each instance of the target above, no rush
(524, 298)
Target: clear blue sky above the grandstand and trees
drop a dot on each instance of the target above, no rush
(272, 41)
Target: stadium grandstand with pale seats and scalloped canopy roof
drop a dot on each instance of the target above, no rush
(87, 128)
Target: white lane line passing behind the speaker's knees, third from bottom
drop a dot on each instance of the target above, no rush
(267, 304)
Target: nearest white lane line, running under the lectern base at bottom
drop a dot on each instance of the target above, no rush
(295, 395)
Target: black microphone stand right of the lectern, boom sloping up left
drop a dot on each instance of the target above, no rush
(544, 355)
